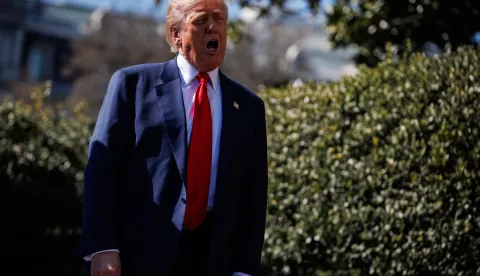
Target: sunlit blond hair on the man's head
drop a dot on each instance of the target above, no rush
(177, 11)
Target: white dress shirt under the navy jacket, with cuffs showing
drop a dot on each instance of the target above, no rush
(189, 84)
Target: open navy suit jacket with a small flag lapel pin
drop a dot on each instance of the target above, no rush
(135, 178)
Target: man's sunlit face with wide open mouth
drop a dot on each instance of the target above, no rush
(202, 37)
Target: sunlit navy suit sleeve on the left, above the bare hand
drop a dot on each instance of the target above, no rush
(106, 156)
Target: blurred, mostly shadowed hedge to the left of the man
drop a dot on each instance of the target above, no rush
(42, 156)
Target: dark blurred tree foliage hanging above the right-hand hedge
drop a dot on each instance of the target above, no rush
(430, 25)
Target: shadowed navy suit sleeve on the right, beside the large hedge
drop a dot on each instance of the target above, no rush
(253, 205)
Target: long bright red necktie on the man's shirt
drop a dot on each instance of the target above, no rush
(199, 157)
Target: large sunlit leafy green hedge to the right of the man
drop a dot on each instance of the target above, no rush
(377, 174)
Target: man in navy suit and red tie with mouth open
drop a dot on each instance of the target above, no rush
(176, 180)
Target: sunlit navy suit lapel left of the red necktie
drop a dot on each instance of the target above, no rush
(169, 94)
